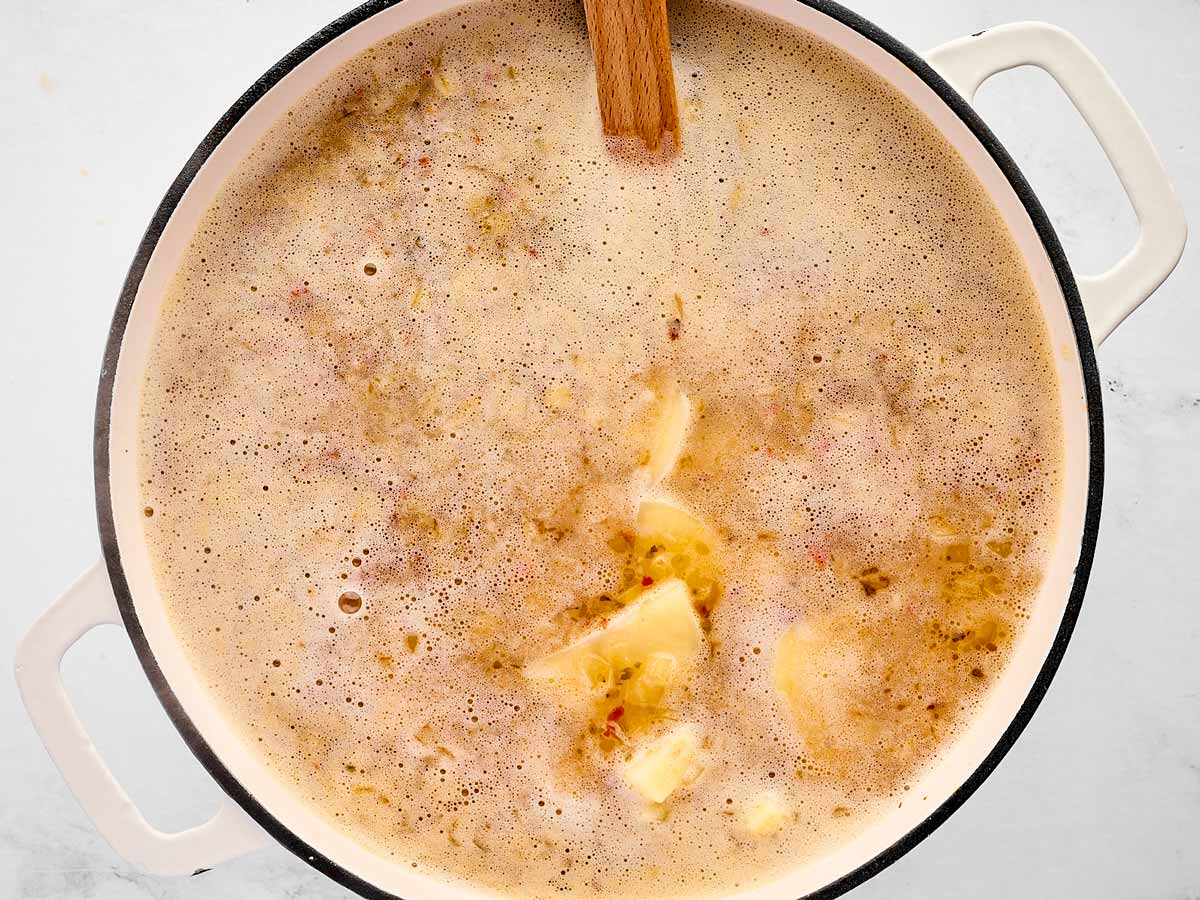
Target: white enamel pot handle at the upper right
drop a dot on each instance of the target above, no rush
(1108, 298)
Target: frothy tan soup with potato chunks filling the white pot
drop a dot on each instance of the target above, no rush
(561, 520)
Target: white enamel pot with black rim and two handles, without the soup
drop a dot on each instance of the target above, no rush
(1079, 315)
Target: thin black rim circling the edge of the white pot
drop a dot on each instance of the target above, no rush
(191, 735)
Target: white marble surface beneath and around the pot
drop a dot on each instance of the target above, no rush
(103, 103)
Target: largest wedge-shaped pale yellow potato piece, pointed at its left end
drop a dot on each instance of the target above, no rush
(658, 634)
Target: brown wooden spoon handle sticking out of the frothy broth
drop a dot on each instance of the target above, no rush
(632, 49)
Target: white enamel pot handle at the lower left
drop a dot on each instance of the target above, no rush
(87, 604)
